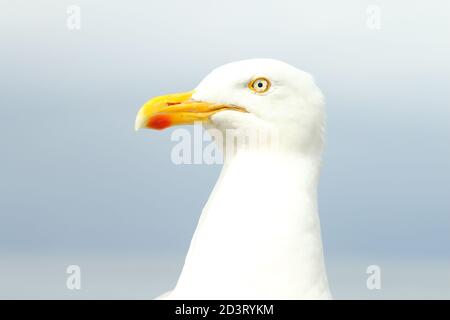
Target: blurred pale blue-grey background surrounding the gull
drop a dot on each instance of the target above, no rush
(79, 187)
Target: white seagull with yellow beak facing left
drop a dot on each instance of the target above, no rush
(258, 236)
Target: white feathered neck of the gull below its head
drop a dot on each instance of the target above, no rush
(259, 233)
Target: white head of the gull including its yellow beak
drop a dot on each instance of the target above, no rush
(256, 94)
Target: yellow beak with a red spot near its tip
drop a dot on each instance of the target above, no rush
(177, 109)
